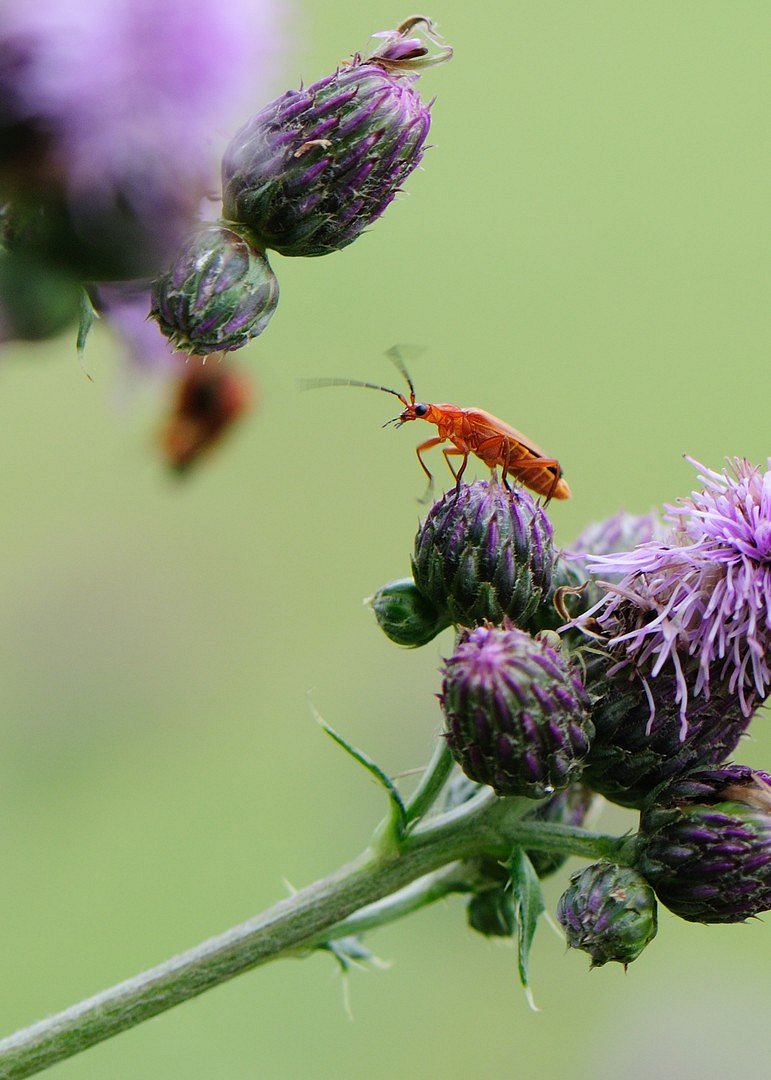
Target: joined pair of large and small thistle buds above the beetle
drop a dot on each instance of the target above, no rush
(305, 177)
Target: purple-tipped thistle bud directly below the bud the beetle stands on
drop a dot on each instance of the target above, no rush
(517, 714)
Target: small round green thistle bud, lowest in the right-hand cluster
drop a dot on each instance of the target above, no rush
(610, 912)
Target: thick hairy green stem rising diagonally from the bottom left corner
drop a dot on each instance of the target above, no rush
(483, 826)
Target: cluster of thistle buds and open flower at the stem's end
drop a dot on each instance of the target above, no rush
(629, 666)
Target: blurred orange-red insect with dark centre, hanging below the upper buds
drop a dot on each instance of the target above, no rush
(209, 400)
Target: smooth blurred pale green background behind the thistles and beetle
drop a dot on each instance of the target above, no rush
(586, 254)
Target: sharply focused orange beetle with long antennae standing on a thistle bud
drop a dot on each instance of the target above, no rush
(470, 431)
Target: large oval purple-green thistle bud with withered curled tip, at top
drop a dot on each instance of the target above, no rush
(317, 167)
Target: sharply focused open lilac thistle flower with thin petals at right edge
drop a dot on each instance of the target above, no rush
(700, 604)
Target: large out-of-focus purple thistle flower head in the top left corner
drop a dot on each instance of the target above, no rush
(107, 115)
